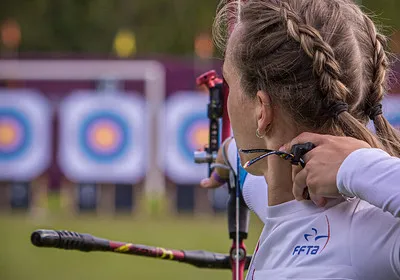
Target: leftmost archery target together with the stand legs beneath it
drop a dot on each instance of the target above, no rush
(25, 148)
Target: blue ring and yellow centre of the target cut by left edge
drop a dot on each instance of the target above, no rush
(15, 134)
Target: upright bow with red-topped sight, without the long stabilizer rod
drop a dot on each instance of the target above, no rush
(238, 213)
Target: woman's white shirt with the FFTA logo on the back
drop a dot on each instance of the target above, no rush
(343, 240)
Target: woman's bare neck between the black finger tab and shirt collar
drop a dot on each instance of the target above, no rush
(279, 179)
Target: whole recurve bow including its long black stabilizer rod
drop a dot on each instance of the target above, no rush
(237, 211)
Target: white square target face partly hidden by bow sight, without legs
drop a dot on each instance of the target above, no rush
(185, 127)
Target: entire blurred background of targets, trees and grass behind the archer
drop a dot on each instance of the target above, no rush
(99, 118)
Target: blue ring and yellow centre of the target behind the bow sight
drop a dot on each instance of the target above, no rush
(192, 134)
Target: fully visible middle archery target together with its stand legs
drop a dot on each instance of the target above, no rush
(102, 146)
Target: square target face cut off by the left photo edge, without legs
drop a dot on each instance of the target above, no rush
(25, 133)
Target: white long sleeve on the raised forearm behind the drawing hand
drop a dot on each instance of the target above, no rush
(374, 176)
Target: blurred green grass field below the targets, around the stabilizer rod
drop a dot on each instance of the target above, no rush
(19, 260)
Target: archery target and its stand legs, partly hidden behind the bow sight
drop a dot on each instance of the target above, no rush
(185, 126)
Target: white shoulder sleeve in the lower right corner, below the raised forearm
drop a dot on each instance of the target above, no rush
(375, 244)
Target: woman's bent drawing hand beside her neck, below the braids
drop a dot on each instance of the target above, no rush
(322, 164)
